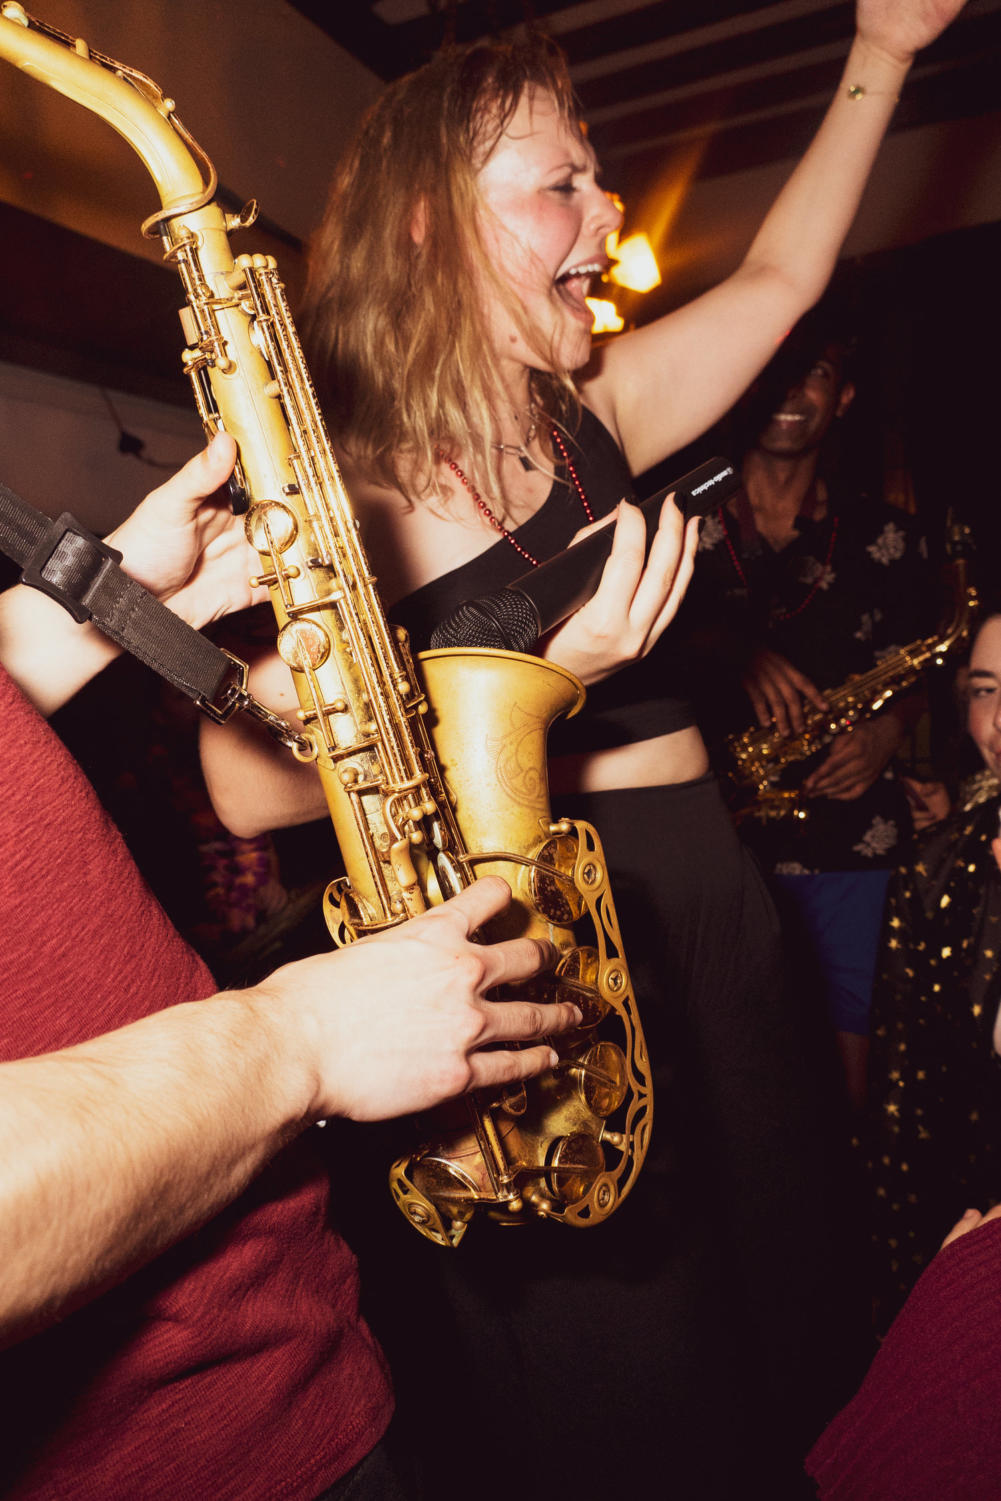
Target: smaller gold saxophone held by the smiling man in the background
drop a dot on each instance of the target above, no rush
(762, 756)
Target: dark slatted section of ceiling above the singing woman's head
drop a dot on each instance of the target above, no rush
(727, 83)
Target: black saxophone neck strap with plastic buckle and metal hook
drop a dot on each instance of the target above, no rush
(82, 574)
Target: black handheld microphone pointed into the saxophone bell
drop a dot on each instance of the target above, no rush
(517, 616)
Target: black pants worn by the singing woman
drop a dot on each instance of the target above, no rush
(690, 1335)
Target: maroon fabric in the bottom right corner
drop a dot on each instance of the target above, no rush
(925, 1425)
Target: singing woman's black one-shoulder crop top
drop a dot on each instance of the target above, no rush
(634, 705)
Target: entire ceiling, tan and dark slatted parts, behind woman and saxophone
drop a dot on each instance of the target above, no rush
(697, 110)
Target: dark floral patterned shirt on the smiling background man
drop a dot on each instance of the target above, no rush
(849, 591)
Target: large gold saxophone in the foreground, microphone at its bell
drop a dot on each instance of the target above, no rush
(422, 801)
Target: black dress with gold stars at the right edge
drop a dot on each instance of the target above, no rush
(934, 1128)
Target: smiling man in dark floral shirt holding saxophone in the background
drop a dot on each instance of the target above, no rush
(807, 583)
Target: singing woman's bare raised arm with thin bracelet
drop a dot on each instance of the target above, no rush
(666, 384)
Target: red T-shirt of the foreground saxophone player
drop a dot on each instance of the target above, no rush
(236, 1365)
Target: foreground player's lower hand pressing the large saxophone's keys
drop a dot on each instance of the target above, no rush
(401, 1021)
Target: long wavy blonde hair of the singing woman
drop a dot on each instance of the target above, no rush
(392, 316)
